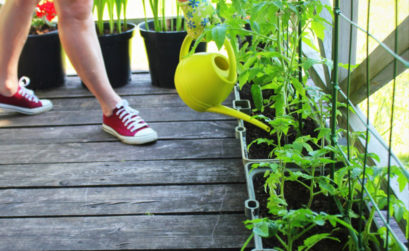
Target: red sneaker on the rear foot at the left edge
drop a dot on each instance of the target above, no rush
(25, 101)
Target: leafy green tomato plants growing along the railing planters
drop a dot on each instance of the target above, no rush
(267, 37)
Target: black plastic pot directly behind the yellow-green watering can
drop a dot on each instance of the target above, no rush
(162, 49)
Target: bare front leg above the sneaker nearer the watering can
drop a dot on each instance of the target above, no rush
(79, 39)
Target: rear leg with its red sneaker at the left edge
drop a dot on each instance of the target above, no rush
(15, 20)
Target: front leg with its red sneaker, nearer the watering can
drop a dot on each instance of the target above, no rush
(79, 39)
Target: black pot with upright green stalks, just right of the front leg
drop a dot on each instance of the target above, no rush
(114, 37)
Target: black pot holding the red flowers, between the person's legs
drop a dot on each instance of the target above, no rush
(41, 60)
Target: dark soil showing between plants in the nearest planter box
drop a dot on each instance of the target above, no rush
(297, 197)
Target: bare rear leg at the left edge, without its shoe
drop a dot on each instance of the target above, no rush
(15, 20)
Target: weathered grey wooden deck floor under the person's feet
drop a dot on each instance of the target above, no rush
(67, 185)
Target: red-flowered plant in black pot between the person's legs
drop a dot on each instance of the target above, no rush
(41, 59)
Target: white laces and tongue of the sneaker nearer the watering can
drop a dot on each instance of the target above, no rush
(129, 116)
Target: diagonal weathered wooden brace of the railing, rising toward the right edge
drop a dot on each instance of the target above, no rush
(380, 62)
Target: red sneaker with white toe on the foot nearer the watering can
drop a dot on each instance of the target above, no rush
(128, 126)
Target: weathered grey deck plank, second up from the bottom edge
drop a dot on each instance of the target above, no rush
(122, 200)
